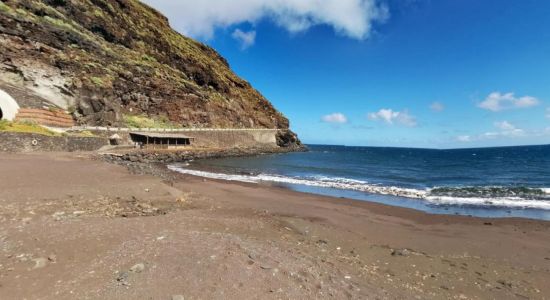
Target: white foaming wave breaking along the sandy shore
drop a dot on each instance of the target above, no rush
(493, 196)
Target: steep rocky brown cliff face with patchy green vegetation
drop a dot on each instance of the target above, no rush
(108, 60)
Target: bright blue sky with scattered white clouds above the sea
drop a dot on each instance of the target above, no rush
(409, 73)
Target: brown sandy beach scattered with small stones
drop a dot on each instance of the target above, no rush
(75, 227)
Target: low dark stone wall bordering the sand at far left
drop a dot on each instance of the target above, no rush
(31, 142)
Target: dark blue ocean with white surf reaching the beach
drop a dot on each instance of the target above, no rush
(485, 182)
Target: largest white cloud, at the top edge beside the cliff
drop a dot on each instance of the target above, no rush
(351, 18)
